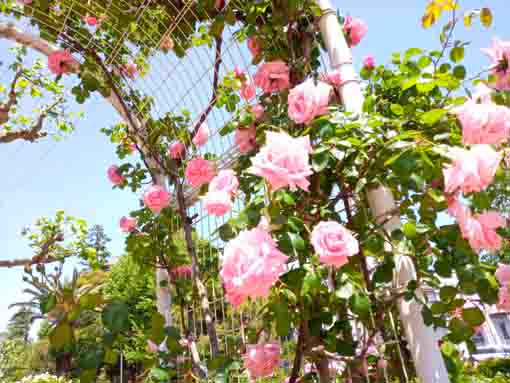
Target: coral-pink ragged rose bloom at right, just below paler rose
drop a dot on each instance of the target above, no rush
(479, 229)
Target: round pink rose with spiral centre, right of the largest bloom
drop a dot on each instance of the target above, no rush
(333, 243)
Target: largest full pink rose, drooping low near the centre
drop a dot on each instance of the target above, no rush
(251, 264)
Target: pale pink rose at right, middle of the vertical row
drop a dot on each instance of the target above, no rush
(472, 170)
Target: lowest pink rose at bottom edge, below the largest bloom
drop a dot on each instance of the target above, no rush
(261, 359)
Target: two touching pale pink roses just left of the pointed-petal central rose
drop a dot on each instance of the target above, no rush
(223, 187)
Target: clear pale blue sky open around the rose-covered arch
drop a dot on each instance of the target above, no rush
(37, 179)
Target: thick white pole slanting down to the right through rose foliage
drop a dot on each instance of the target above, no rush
(421, 339)
